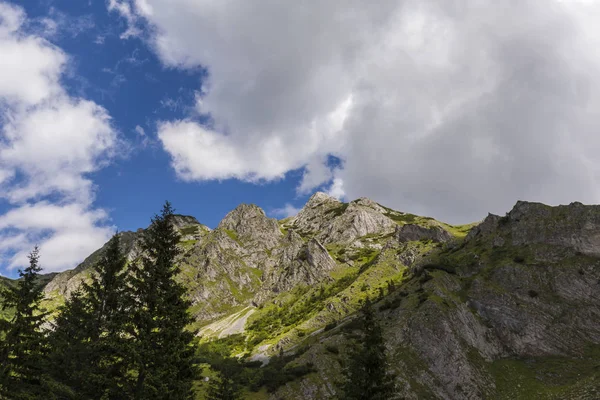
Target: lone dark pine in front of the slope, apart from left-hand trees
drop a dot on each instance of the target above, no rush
(366, 377)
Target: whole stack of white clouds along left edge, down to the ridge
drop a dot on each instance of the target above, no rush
(50, 142)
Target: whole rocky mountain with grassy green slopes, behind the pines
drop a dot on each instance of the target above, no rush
(508, 308)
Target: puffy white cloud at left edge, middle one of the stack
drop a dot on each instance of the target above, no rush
(54, 146)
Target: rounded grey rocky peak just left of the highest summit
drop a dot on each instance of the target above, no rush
(250, 223)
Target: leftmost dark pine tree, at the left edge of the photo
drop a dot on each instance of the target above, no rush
(23, 350)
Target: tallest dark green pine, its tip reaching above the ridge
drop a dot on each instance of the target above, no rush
(163, 356)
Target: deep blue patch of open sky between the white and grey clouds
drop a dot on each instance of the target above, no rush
(127, 79)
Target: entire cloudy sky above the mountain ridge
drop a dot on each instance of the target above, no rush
(447, 109)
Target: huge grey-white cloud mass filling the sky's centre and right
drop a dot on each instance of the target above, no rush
(450, 109)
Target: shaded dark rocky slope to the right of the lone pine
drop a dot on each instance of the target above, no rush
(505, 316)
